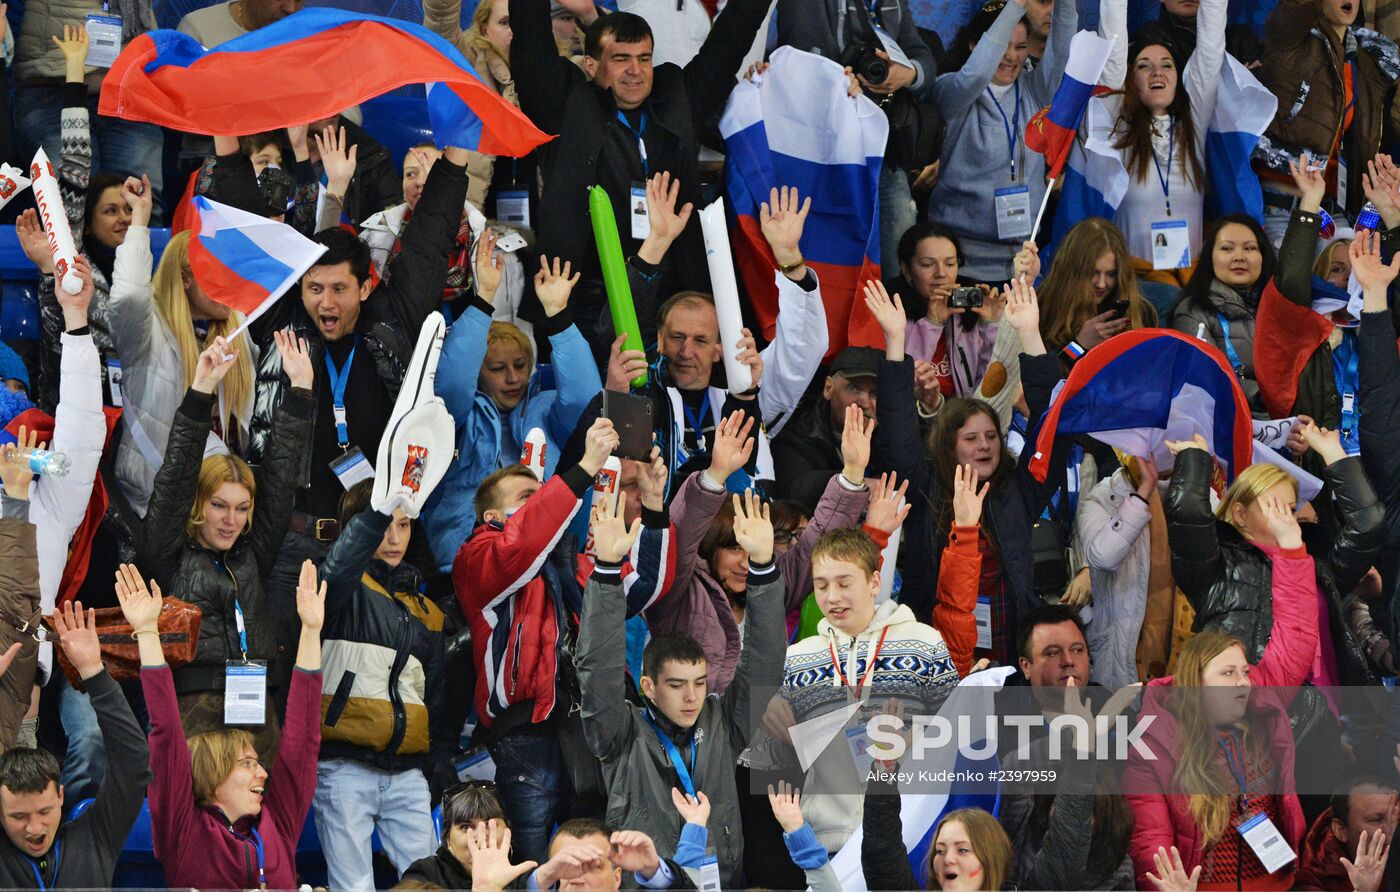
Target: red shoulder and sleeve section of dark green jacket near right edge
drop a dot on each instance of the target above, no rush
(1286, 337)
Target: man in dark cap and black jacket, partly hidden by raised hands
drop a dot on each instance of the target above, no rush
(810, 450)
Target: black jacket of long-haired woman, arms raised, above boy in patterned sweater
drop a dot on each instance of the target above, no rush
(1013, 506)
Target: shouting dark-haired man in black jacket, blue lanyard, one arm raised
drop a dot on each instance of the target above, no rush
(362, 338)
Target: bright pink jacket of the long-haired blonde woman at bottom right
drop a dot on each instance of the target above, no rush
(1165, 818)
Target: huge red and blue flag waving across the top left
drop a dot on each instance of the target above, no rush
(306, 68)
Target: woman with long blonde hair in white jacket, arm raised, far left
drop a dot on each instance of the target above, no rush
(160, 326)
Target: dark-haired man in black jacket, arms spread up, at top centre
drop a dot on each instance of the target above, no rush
(621, 124)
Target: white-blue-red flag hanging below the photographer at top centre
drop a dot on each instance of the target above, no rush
(796, 127)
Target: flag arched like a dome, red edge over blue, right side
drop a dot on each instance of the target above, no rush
(1142, 389)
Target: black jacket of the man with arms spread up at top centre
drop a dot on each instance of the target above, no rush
(684, 103)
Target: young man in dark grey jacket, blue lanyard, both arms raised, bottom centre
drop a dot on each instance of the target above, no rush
(681, 737)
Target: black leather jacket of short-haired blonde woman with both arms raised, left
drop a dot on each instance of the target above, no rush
(206, 579)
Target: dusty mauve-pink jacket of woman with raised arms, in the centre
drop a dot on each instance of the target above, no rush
(698, 604)
